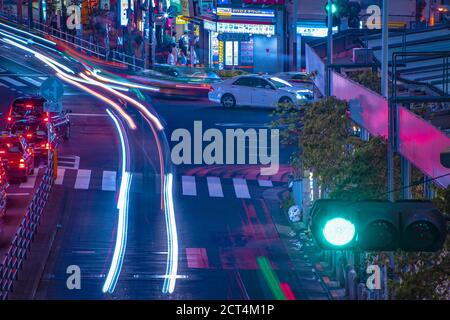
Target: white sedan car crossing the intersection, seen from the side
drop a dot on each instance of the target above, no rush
(257, 90)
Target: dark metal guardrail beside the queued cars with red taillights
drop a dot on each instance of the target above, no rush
(21, 244)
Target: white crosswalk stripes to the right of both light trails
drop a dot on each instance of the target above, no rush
(217, 187)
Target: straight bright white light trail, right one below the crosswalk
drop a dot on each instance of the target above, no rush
(172, 237)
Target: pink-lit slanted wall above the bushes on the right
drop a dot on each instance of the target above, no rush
(419, 141)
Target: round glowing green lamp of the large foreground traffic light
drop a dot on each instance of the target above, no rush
(339, 231)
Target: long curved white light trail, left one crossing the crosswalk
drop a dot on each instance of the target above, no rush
(122, 206)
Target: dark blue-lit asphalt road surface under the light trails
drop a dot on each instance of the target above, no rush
(231, 235)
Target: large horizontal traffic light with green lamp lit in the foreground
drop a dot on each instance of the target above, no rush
(378, 225)
